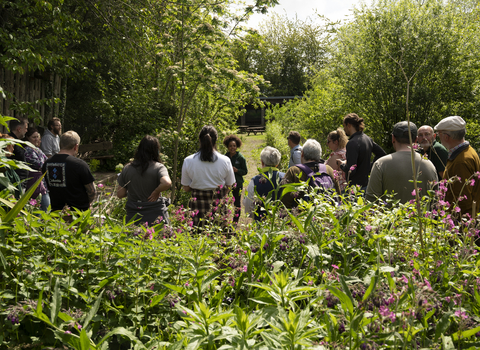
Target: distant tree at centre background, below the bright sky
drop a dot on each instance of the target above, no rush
(285, 52)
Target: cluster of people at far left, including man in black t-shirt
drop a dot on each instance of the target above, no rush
(68, 180)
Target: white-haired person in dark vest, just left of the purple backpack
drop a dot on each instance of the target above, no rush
(264, 183)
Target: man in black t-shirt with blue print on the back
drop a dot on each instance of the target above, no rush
(69, 179)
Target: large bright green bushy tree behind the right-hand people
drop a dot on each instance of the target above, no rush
(433, 44)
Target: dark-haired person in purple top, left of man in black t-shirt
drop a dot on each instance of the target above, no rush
(35, 159)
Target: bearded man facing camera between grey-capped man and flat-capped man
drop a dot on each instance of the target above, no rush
(434, 150)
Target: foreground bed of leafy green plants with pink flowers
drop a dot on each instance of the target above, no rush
(363, 280)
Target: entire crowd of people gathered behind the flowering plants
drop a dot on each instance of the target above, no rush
(209, 175)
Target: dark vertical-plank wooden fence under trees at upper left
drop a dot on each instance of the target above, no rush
(36, 89)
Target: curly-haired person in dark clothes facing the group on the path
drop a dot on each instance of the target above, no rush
(239, 164)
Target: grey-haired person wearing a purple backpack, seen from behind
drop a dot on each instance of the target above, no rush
(312, 166)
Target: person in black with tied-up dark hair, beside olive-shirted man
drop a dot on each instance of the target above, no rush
(359, 148)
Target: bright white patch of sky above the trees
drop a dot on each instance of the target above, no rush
(332, 9)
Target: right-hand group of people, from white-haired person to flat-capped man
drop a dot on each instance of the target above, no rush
(350, 163)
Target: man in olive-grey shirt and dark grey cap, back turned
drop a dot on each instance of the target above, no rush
(393, 173)
